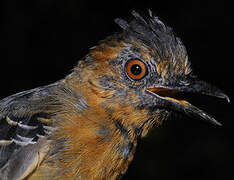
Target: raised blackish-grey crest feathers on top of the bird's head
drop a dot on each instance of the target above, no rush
(154, 33)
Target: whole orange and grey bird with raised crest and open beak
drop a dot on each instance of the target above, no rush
(87, 125)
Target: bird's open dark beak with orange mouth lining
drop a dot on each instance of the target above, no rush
(169, 97)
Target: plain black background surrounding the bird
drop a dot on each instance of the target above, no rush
(41, 40)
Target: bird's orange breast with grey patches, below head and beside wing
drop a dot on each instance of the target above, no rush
(96, 148)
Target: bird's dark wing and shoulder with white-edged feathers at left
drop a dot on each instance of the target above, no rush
(26, 120)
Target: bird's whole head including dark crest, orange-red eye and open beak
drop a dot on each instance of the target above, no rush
(138, 75)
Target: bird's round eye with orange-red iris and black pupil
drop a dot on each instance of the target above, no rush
(136, 69)
